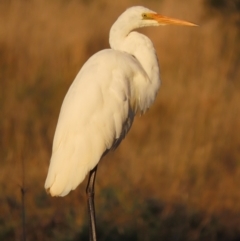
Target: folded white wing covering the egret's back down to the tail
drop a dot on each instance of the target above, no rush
(96, 114)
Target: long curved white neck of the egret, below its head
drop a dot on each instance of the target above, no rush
(140, 46)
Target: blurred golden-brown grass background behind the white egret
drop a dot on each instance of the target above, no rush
(177, 174)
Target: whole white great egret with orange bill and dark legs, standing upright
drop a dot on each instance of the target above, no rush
(99, 107)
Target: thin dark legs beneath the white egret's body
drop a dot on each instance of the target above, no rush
(91, 208)
